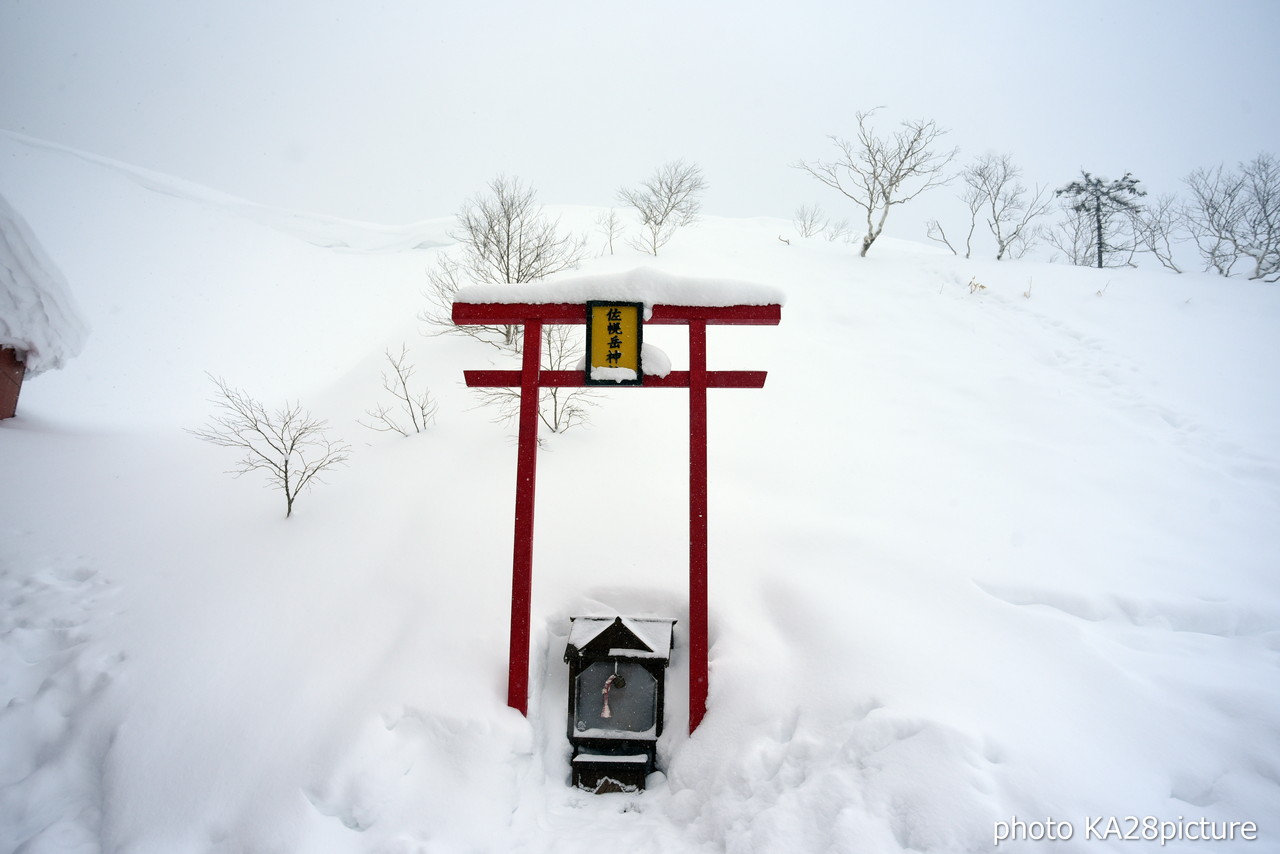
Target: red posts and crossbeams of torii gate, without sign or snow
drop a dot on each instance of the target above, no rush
(531, 378)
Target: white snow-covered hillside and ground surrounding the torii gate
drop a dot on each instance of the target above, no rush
(977, 554)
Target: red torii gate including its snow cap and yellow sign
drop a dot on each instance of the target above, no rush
(662, 300)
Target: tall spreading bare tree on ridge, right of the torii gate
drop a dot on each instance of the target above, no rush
(877, 173)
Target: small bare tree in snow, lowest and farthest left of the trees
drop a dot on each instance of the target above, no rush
(290, 446)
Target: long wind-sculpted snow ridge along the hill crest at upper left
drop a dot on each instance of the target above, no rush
(327, 232)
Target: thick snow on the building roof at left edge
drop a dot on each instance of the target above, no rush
(38, 313)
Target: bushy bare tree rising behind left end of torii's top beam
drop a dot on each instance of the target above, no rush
(506, 240)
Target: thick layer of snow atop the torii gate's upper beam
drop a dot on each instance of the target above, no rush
(643, 285)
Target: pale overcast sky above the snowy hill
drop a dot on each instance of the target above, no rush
(396, 111)
